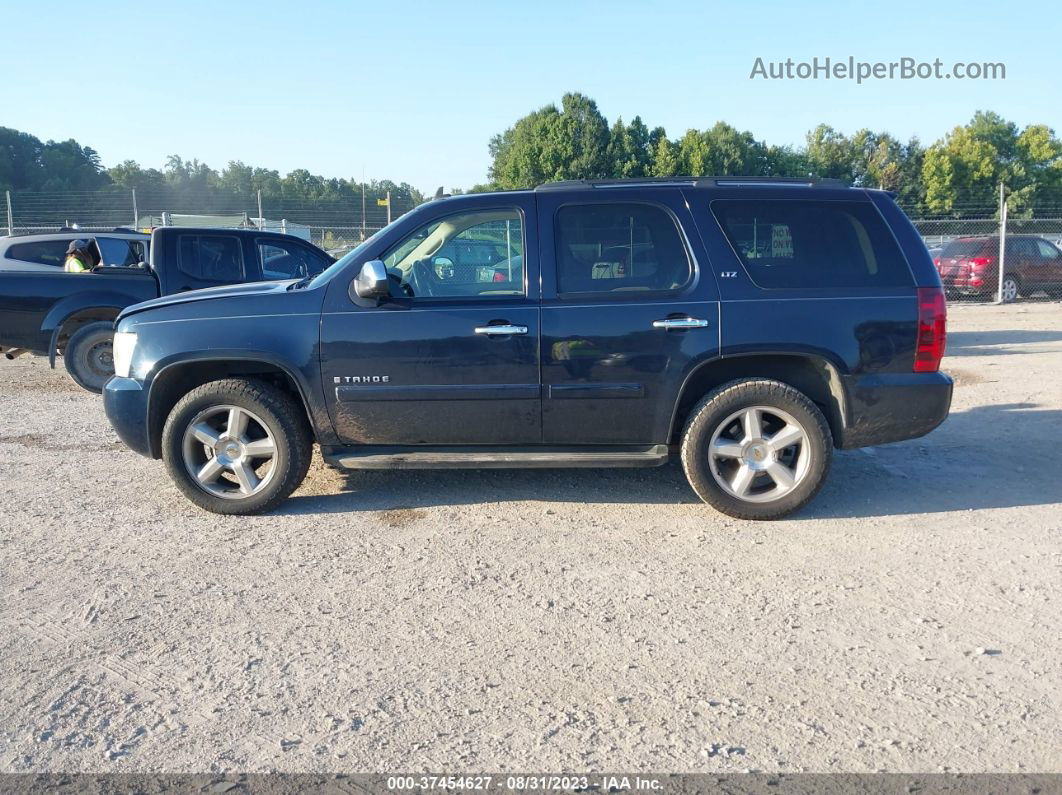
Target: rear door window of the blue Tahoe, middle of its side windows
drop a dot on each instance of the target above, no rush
(619, 248)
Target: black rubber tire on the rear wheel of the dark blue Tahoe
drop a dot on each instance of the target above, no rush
(718, 408)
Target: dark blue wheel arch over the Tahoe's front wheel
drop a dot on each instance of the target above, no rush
(175, 379)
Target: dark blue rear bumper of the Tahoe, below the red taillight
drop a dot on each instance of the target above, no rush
(894, 407)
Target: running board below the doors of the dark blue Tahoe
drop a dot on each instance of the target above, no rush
(494, 458)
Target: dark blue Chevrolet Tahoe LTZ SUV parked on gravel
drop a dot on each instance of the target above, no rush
(749, 326)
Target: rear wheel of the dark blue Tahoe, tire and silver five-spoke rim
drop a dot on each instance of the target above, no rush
(757, 450)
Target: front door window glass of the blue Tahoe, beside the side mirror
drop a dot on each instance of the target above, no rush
(474, 255)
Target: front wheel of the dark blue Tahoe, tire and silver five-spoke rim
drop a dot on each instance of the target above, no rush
(237, 446)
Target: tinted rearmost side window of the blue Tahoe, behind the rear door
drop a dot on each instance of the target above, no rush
(813, 245)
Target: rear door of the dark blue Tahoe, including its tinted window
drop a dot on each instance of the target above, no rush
(629, 309)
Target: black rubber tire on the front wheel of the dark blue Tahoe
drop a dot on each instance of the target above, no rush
(282, 418)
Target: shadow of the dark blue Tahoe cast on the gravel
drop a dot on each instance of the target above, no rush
(961, 466)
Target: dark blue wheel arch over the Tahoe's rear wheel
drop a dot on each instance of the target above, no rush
(815, 376)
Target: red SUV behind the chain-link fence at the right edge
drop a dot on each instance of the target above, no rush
(971, 267)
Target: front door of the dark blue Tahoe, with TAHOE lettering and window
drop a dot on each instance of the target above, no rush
(453, 357)
